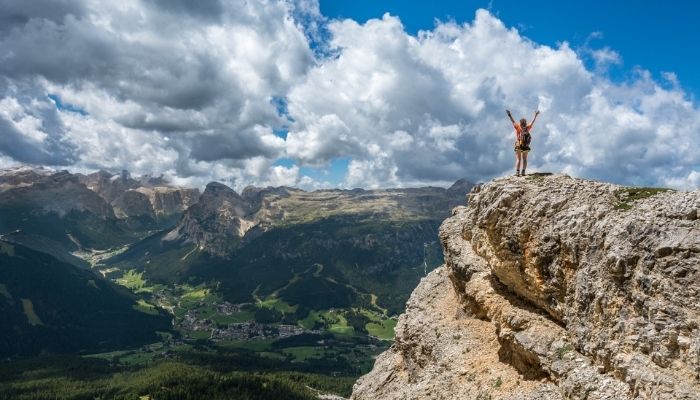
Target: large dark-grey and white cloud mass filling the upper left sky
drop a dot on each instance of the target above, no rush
(165, 86)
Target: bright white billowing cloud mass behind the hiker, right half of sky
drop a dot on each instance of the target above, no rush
(431, 108)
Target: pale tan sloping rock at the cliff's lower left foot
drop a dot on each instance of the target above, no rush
(442, 352)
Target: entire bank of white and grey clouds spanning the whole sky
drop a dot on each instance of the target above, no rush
(221, 90)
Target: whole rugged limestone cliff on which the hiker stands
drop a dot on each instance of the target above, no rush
(554, 288)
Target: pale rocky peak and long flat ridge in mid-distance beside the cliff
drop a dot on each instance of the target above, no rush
(222, 217)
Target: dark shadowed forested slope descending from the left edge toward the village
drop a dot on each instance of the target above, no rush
(51, 306)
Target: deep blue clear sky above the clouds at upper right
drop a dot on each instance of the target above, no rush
(660, 36)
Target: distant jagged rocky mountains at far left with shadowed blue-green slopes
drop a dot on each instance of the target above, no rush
(55, 211)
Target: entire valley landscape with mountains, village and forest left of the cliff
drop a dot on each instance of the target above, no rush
(275, 290)
